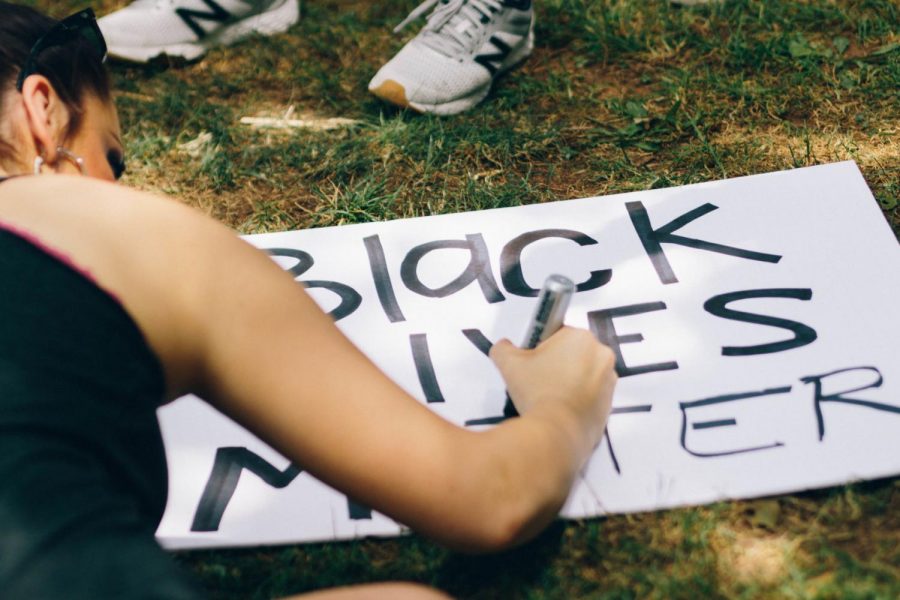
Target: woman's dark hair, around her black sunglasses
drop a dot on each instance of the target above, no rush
(72, 68)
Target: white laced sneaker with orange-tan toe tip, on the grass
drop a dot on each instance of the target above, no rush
(450, 65)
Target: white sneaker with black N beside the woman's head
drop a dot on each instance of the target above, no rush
(188, 28)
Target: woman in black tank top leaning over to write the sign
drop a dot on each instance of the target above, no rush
(116, 301)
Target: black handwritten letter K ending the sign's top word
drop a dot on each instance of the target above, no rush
(652, 239)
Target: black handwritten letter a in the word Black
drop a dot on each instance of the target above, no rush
(478, 269)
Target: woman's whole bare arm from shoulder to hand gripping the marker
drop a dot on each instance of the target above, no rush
(230, 324)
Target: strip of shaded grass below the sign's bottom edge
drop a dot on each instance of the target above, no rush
(836, 543)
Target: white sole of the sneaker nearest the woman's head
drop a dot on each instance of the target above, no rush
(277, 19)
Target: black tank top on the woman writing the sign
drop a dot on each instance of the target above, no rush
(83, 479)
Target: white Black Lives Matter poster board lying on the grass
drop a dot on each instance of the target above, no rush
(754, 323)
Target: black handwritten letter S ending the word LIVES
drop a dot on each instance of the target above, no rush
(803, 335)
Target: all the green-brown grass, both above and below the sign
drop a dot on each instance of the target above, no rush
(619, 95)
